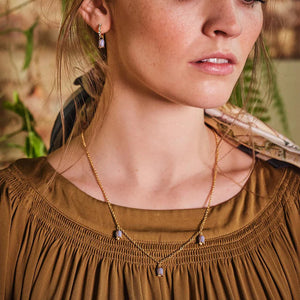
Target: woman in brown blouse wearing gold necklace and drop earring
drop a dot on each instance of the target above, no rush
(181, 214)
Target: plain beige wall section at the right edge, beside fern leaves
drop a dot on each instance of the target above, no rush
(288, 77)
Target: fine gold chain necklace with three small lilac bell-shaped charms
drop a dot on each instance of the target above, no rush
(119, 232)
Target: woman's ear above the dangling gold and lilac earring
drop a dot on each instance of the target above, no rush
(95, 12)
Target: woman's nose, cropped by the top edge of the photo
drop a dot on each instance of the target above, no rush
(222, 19)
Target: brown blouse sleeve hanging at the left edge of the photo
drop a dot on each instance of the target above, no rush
(14, 207)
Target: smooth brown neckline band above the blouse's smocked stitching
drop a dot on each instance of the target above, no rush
(158, 225)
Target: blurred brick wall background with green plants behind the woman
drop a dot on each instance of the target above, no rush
(29, 101)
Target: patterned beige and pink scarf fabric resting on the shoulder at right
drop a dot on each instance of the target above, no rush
(248, 133)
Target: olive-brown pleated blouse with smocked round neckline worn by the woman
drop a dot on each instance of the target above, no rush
(56, 242)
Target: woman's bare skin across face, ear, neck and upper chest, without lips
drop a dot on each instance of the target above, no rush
(154, 150)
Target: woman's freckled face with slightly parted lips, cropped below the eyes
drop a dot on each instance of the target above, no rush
(184, 51)
